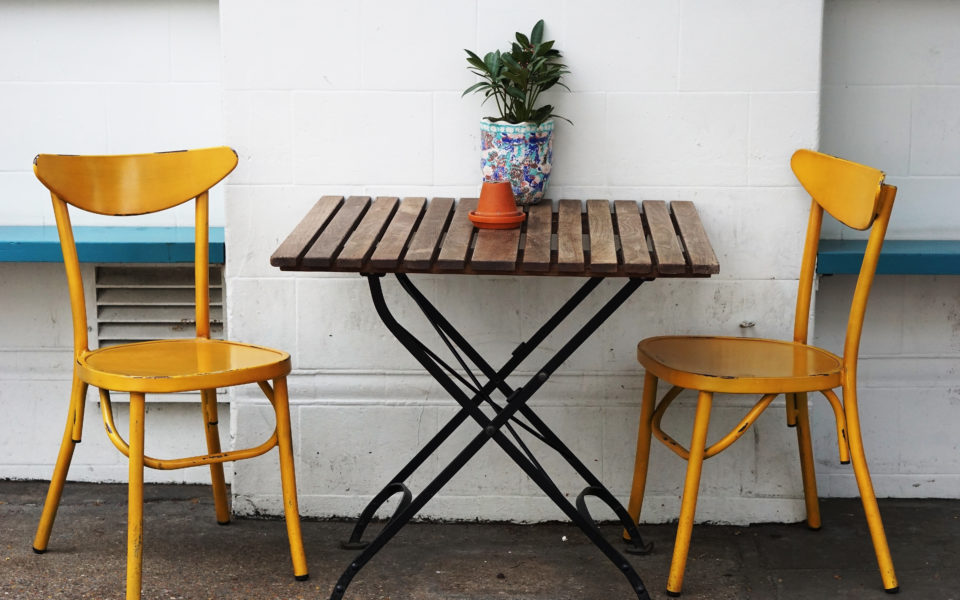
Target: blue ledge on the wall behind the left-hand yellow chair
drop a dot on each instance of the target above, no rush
(108, 244)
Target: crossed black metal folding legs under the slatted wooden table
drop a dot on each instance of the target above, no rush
(491, 428)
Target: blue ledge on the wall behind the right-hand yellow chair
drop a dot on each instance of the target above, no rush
(898, 257)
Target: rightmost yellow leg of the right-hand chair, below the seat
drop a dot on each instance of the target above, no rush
(867, 495)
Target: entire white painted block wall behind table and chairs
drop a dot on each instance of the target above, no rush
(700, 101)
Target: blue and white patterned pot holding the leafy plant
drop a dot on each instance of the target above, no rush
(520, 153)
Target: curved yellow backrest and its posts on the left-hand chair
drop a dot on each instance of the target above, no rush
(133, 184)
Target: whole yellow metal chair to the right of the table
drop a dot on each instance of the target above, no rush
(856, 196)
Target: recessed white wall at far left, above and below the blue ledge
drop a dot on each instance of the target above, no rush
(91, 78)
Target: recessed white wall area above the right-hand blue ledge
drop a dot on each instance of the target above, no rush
(891, 95)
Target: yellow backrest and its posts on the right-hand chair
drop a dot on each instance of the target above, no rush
(856, 196)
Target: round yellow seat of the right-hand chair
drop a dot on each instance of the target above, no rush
(739, 365)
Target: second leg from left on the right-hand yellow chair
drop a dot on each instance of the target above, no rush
(691, 487)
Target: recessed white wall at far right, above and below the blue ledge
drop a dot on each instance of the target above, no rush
(891, 99)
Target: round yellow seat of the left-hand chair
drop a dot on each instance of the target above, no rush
(180, 365)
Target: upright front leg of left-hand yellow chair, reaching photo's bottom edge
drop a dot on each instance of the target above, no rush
(135, 498)
